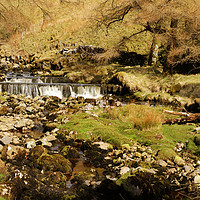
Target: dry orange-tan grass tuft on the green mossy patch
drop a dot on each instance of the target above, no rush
(142, 117)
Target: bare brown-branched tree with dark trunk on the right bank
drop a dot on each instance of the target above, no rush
(174, 25)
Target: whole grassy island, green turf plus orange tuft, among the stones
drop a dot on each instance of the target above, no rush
(119, 126)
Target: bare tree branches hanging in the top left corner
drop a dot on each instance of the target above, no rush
(16, 15)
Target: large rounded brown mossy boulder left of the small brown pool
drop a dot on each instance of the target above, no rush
(54, 163)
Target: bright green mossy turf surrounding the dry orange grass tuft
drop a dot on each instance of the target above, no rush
(119, 130)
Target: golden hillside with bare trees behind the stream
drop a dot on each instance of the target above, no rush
(144, 27)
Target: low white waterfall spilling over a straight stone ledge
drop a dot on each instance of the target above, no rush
(32, 86)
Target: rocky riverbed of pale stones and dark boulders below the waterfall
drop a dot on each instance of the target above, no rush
(42, 162)
